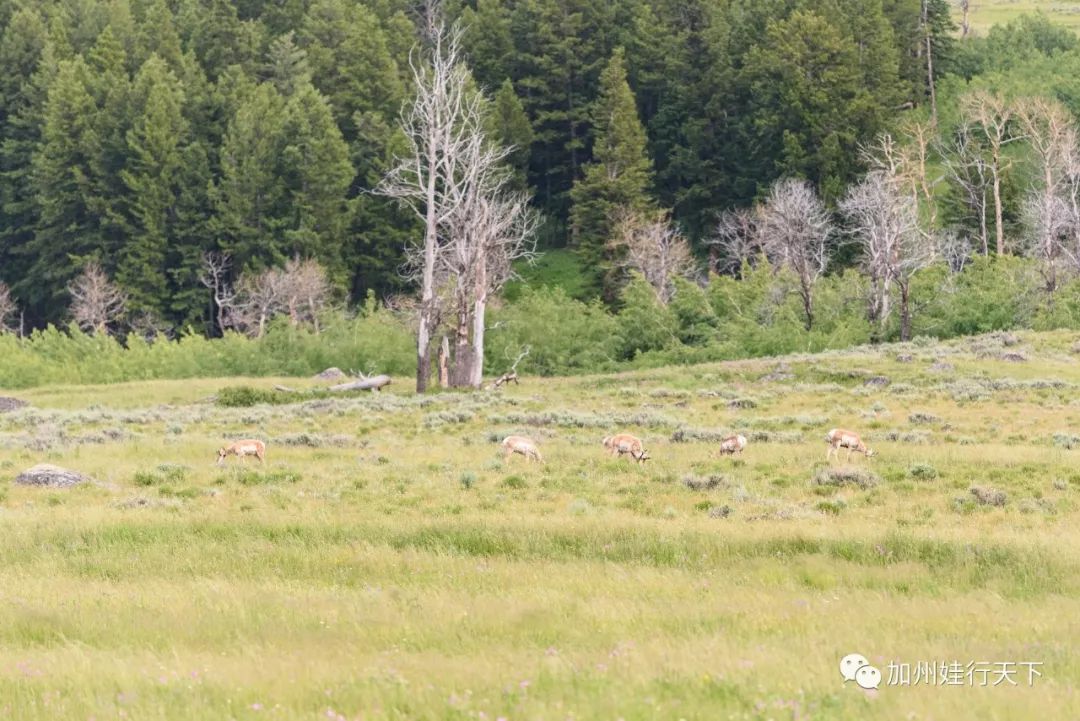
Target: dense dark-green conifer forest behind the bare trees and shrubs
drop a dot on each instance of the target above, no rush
(145, 133)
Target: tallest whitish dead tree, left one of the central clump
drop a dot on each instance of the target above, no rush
(442, 120)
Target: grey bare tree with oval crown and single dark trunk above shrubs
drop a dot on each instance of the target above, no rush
(795, 235)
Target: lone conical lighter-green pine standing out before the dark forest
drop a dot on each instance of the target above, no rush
(620, 175)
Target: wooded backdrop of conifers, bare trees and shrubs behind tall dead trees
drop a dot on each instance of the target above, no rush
(848, 171)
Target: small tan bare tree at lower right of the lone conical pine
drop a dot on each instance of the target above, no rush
(655, 248)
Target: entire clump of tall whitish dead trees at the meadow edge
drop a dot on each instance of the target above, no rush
(455, 181)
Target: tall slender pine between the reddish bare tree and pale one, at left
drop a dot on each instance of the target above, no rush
(155, 159)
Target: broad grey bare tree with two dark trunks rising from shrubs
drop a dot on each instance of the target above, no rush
(884, 219)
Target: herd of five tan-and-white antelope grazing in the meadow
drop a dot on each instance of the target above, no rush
(619, 445)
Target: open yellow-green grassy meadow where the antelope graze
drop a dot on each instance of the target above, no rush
(387, 564)
